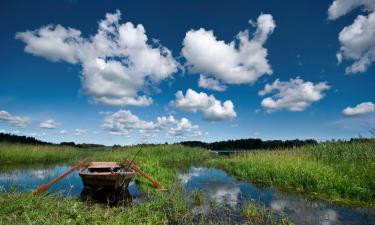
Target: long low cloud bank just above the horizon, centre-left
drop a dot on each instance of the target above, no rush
(123, 122)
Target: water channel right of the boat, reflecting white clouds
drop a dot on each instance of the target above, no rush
(226, 190)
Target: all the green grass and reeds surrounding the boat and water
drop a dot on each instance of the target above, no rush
(341, 172)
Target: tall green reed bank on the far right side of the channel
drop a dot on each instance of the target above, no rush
(340, 172)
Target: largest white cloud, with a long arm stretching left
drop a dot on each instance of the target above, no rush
(117, 62)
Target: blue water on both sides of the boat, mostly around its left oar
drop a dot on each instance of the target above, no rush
(29, 179)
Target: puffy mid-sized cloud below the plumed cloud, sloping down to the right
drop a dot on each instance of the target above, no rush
(212, 109)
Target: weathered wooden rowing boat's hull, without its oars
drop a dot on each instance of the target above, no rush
(106, 175)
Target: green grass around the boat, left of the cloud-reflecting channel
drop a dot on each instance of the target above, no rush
(161, 162)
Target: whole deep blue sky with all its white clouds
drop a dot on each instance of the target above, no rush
(127, 72)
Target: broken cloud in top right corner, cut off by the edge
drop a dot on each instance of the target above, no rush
(357, 40)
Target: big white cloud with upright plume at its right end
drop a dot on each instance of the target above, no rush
(241, 61)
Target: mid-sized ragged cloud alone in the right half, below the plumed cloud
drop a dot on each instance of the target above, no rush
(294, 95)
